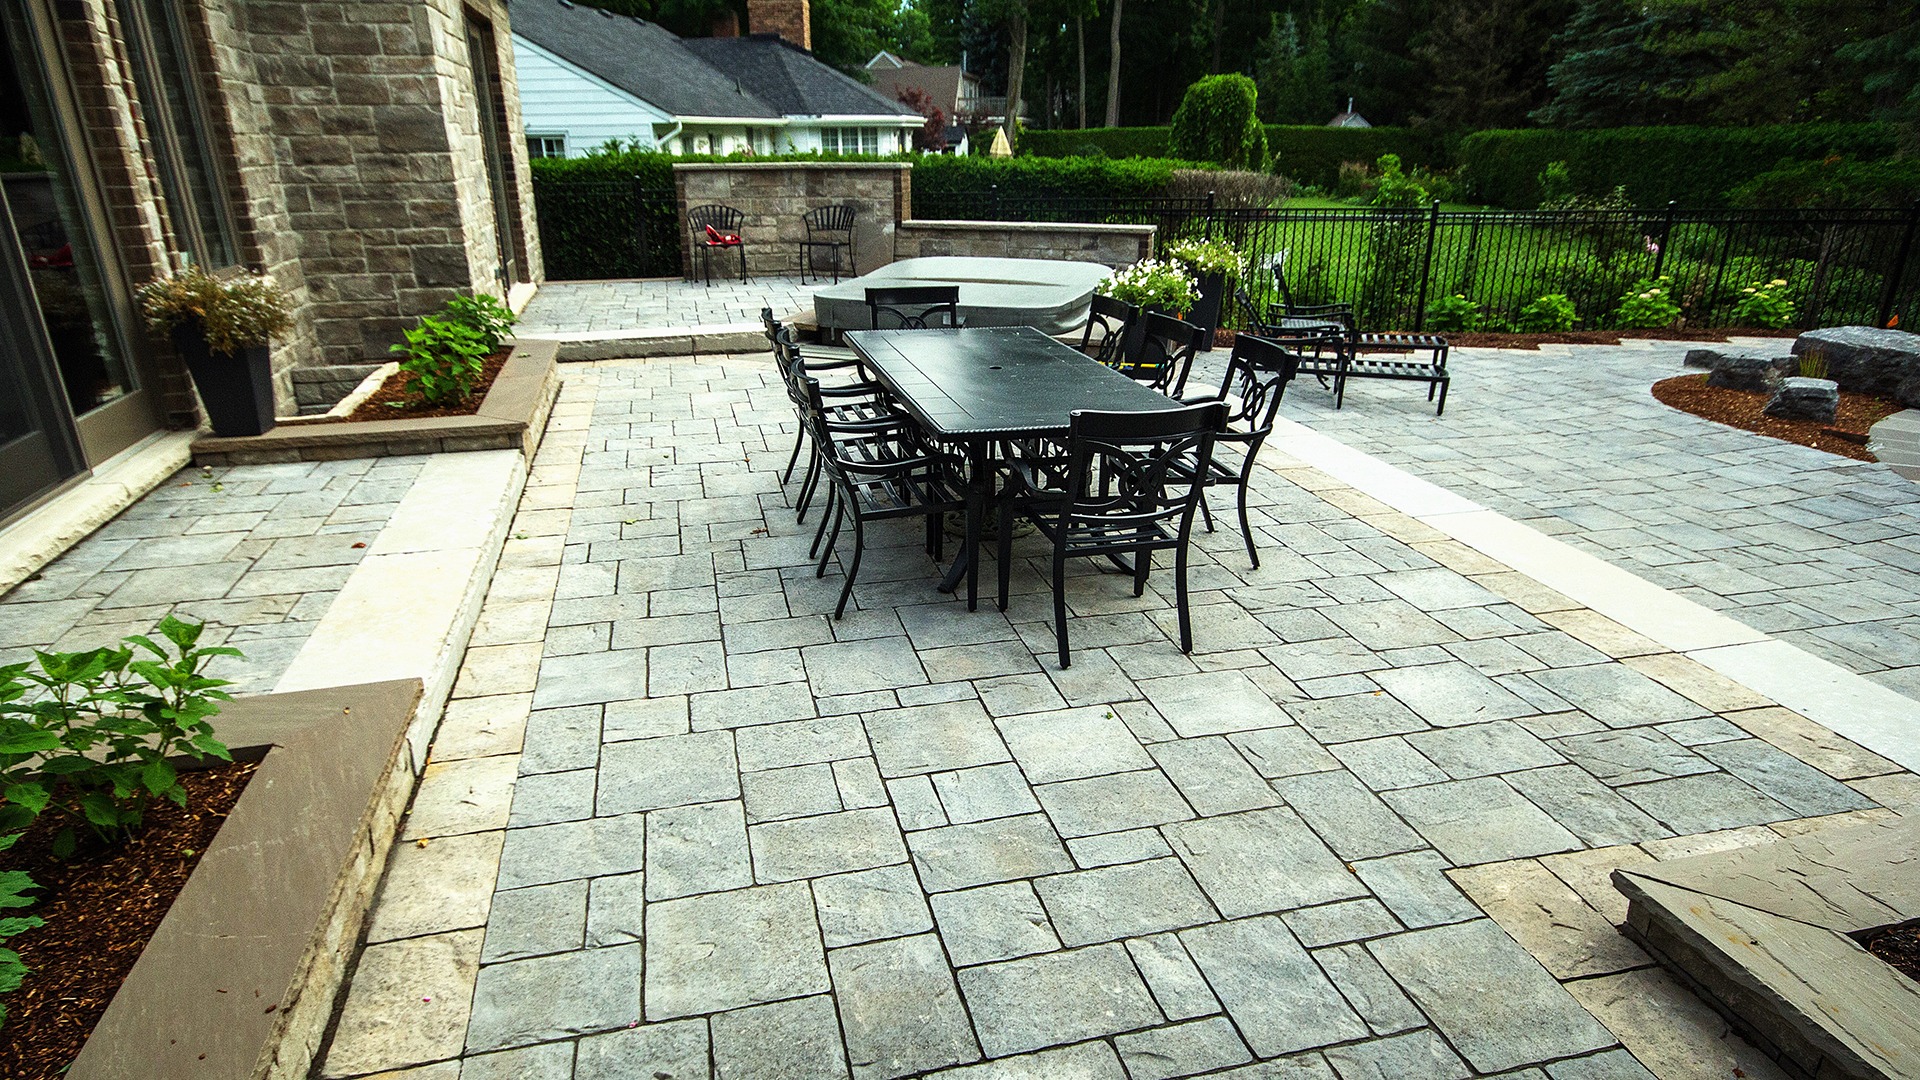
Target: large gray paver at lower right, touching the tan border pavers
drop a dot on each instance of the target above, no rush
(1491, 1000)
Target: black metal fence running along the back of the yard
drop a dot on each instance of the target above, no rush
(1842, 268)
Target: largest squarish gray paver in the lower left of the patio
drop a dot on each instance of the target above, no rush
(717, 952)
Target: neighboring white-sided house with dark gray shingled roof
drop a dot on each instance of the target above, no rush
(588, 78)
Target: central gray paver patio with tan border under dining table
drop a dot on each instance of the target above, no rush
(683, 823)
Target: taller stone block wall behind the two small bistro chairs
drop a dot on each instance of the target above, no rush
(775, 195)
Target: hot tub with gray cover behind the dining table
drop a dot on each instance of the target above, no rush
(1045, 295)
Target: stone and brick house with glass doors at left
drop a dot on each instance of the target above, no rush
(366, 155)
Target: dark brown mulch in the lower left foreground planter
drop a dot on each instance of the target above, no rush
(101, 908)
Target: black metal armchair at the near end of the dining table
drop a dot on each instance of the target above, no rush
(1147, 497)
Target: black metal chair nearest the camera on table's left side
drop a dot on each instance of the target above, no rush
(878, 470)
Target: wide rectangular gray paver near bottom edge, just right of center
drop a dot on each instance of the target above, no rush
(1057, 998)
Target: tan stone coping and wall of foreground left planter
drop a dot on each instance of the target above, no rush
(241, 977)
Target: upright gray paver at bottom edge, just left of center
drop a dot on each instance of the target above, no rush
(900, 1008)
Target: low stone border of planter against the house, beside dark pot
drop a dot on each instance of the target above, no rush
(512, 416)
